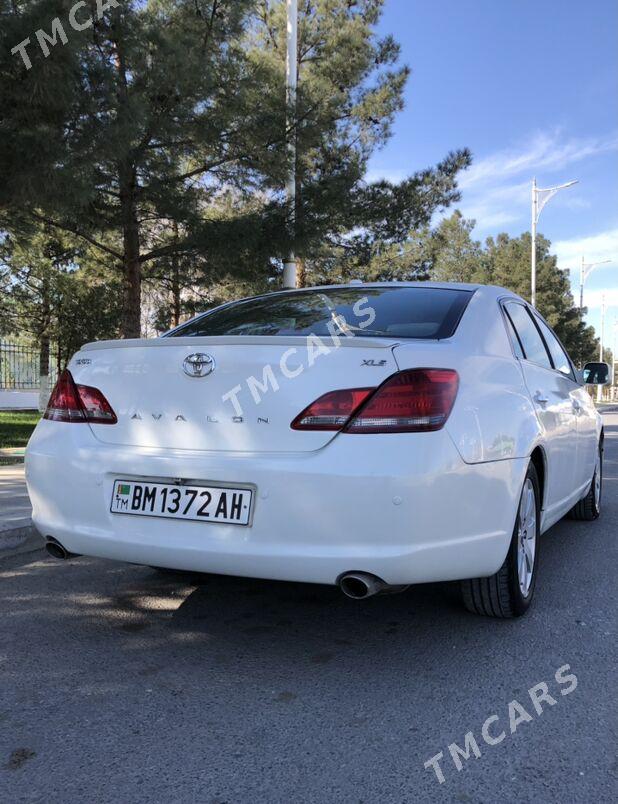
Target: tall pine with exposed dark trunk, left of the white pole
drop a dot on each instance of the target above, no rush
(167, 112)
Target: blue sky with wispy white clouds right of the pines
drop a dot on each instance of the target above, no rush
(531, 87)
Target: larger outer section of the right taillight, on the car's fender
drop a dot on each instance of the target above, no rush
(415, 401)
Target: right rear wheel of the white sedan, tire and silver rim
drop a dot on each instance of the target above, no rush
(510, 591)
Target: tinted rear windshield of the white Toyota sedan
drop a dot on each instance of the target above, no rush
(378, 312)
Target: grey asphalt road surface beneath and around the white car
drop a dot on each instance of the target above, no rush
(120, 685)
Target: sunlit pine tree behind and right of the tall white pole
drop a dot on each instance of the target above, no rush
(350, 88)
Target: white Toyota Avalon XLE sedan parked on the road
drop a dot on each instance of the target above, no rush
(371, 436)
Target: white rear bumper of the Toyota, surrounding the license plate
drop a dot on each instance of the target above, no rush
(404, 507)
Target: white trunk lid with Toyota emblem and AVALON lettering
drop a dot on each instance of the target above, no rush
(245, 399)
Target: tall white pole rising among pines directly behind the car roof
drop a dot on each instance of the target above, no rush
(291, 77)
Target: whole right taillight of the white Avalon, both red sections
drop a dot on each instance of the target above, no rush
(413, 401)
